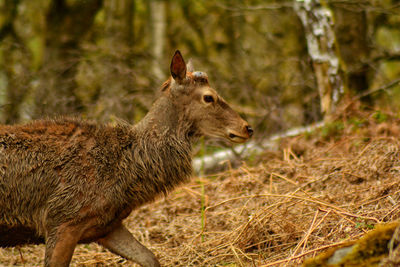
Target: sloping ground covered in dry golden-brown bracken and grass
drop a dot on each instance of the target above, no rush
(319, 190)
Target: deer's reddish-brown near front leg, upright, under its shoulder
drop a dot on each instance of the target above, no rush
(60, 245)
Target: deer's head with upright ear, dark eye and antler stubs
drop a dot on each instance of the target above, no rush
(207, 112)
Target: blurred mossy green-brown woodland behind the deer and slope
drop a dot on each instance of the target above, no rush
(279, 63)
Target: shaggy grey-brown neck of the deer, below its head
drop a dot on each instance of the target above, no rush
(161, 154)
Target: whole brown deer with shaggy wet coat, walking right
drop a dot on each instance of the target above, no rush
(66, 181)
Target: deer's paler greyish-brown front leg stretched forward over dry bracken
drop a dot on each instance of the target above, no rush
(120, 241)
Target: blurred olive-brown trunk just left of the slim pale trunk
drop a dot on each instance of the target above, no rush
(113, 67)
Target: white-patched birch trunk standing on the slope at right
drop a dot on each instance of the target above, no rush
(317, 19)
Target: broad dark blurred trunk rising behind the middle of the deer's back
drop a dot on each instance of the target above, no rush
(66, 26)
